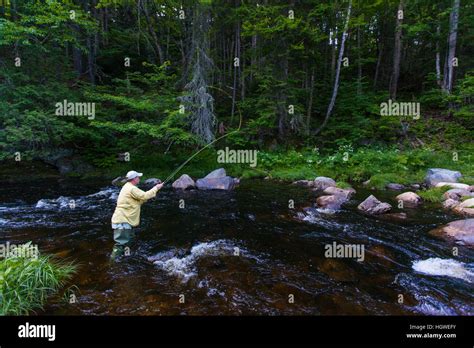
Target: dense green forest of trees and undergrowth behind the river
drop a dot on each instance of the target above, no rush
(299, 80)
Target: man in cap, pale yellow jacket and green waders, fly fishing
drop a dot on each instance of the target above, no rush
(127, 212)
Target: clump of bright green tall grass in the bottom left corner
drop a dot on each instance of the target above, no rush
(26, 283)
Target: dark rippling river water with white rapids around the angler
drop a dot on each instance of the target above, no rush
(195, 249)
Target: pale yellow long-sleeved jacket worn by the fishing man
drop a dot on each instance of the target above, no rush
(129, 202)
